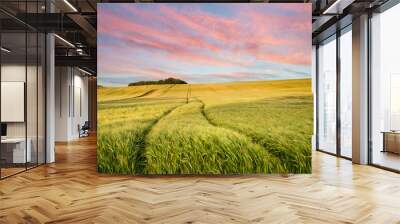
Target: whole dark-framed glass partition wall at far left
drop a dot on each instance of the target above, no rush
(22, 88)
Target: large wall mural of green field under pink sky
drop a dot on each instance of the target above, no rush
(204, 88)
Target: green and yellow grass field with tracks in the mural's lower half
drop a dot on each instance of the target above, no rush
(229, 128)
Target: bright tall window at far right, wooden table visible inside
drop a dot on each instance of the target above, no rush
(385, 115)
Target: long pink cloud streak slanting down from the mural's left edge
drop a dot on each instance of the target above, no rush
(176, 44)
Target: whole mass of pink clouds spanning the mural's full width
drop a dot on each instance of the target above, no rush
(202, 38)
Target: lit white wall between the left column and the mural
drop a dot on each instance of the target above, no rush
(71, 93)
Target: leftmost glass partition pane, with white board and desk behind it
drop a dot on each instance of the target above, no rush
(13, 91)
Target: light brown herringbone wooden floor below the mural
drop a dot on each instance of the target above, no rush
(71, 191)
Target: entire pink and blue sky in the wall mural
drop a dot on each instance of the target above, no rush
(203, 43)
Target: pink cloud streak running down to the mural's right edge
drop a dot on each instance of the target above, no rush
(230, 32)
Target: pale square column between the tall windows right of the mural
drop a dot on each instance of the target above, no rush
(360, 90)
